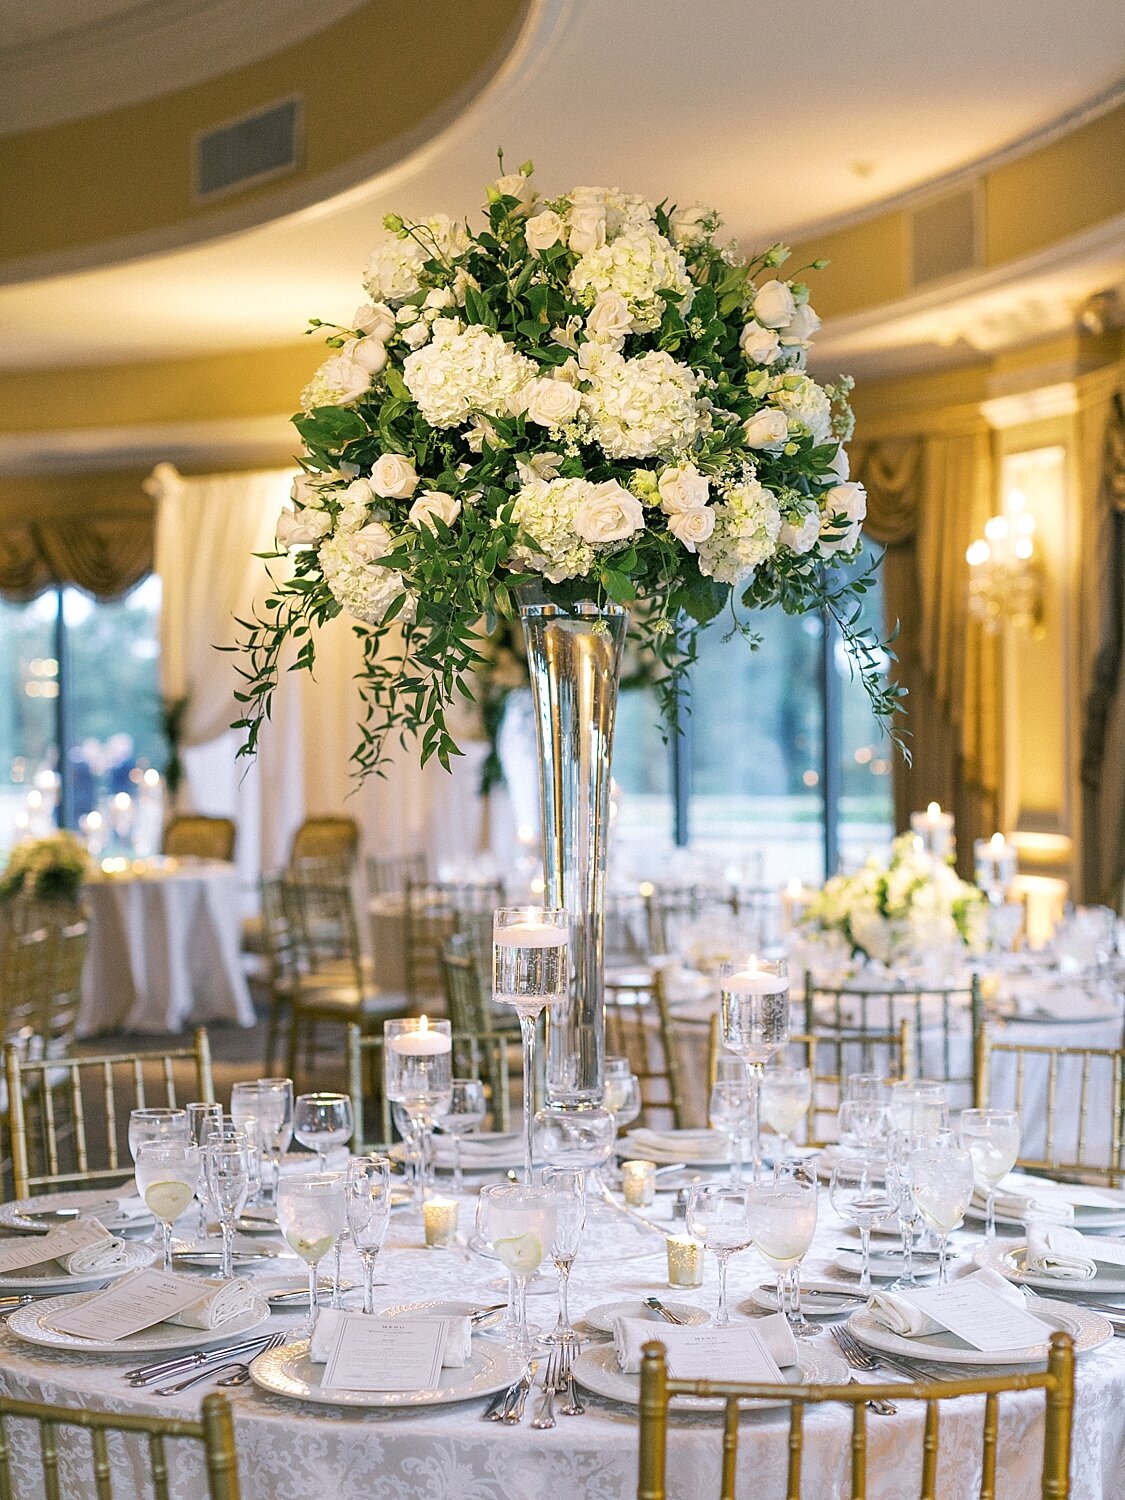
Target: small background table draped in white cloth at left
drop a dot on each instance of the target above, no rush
(164, 950)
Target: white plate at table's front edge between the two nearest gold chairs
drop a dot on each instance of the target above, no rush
(289, 1372)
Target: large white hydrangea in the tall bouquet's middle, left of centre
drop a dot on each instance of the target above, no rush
(466, 373)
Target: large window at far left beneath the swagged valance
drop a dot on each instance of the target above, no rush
(80, 706)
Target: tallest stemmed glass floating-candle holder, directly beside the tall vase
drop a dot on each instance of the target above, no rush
(530, 950)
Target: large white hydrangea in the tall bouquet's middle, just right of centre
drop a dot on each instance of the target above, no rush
(644, 407)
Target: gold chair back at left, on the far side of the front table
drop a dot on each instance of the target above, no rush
(65, 1114)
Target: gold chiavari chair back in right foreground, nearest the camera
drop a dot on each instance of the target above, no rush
(658, 1390)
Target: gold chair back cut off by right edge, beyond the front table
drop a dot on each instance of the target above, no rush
(1072, 1076)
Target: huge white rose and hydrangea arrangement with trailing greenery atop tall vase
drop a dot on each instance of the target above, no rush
(593, 394)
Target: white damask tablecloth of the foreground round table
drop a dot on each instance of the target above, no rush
(295, 1451)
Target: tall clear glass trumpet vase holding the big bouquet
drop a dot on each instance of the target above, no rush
(575, 659)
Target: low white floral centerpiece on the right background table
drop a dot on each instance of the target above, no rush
(905, 907)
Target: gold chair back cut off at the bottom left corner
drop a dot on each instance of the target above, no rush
(65, 1463)
